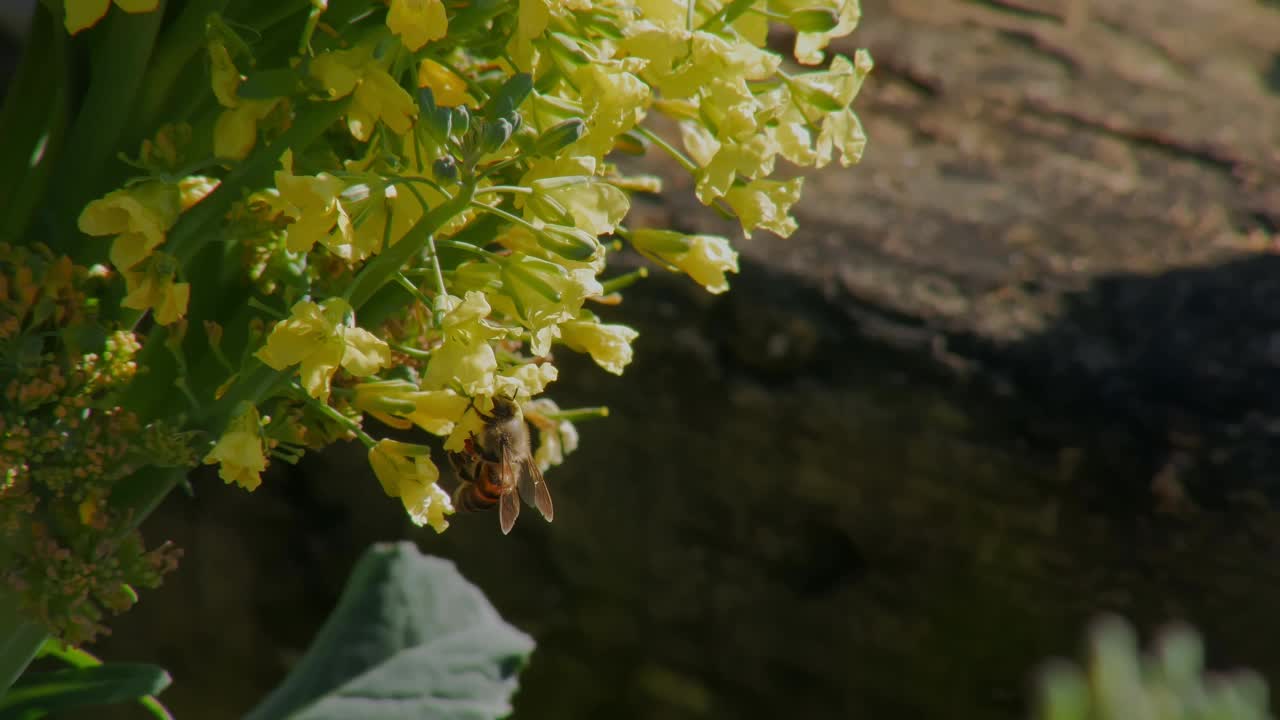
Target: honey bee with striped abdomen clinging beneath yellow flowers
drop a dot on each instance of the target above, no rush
(497, 464)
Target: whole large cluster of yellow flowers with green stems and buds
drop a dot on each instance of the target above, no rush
(429, 202)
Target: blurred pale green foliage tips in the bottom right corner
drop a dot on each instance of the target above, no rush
(1169, 683)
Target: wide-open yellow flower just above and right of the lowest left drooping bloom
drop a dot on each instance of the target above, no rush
(321, 339)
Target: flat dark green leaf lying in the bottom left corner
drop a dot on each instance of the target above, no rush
(79, 687)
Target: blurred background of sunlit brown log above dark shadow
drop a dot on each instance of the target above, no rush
(1018, 368)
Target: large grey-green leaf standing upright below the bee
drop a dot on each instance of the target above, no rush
(410, 639)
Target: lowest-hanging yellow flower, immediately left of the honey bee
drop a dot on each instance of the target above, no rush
(406, 472)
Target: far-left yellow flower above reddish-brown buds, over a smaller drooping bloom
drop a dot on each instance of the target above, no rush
(143, 213)
